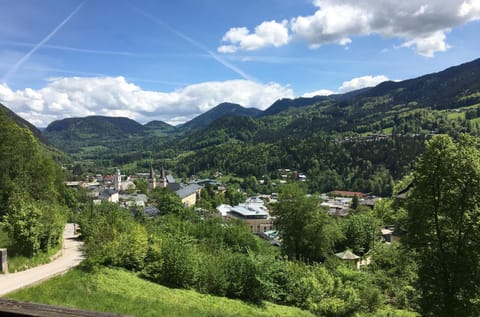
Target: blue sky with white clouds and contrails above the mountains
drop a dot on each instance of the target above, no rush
(173, 60)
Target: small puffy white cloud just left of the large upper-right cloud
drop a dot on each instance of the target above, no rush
(268, 33)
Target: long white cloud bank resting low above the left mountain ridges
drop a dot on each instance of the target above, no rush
(115, 96)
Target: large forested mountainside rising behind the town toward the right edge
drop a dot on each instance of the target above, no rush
(361, 140)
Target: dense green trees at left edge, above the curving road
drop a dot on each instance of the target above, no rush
(32, 193)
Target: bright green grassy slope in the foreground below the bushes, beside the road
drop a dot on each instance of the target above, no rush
(111, 290)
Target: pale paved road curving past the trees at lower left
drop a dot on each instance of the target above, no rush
(71, 256)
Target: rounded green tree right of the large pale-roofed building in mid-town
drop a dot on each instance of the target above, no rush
(307, 232)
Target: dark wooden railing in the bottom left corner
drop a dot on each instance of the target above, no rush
(12, 308)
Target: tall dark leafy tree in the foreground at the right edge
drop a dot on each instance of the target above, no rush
(444, 226)
